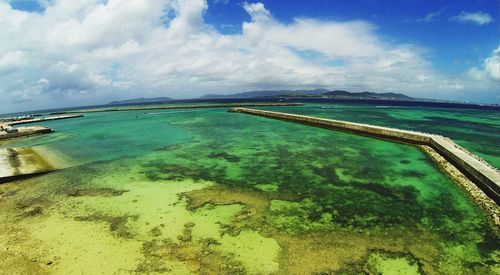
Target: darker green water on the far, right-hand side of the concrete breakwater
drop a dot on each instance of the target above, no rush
(476, 130)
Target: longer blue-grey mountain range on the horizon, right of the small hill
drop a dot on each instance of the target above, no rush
(322, 93)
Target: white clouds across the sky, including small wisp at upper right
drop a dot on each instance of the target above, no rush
(79, 52)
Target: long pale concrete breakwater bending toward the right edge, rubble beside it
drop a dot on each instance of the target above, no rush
(481, 173)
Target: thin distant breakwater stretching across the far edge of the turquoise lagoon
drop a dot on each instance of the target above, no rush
(124, 109)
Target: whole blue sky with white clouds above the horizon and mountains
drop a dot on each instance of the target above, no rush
(61, 53)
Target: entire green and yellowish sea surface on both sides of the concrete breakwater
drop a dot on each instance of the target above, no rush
(207, 191)
